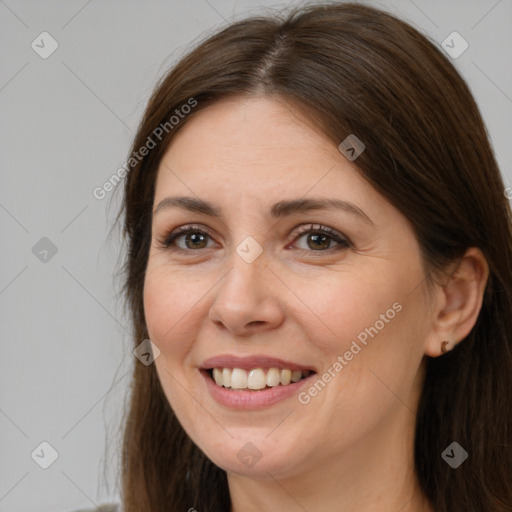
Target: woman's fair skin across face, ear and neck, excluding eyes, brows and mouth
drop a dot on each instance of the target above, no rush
(351, 446)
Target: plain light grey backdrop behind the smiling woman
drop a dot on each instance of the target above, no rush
(65, 127)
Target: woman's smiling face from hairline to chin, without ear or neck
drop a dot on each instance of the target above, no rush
(259, 293)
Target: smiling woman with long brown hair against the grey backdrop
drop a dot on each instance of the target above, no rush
(319, 249)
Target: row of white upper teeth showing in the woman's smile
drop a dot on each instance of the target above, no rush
(237, 378)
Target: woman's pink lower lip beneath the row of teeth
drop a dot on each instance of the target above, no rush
(252, 399)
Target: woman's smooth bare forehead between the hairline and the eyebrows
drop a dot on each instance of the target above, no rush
(254, 144)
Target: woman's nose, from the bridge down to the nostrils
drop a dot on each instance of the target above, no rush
(245, 300)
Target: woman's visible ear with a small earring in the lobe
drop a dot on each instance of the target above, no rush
(458, 302)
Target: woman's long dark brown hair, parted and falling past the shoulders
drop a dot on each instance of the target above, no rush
(351, 69)
